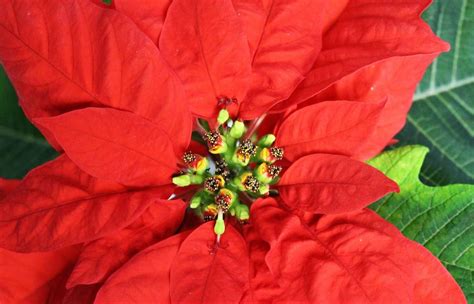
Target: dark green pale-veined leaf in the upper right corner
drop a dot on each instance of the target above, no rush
(442, 116)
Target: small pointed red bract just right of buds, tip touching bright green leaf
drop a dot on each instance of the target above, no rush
(326, 183)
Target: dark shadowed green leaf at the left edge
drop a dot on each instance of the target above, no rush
(21, 146)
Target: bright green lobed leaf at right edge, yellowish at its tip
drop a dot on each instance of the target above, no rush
(440, 218)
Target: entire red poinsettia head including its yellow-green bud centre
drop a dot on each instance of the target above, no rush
(213, 151)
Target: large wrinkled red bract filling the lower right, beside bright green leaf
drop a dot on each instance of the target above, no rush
(346, 258)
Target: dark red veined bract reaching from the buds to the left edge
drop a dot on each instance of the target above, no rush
(57, 205)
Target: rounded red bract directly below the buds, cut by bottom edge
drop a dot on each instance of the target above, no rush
(205, 273)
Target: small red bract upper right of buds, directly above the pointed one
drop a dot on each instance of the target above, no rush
(335, 127)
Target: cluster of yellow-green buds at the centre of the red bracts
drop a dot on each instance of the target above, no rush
(239, 168)
